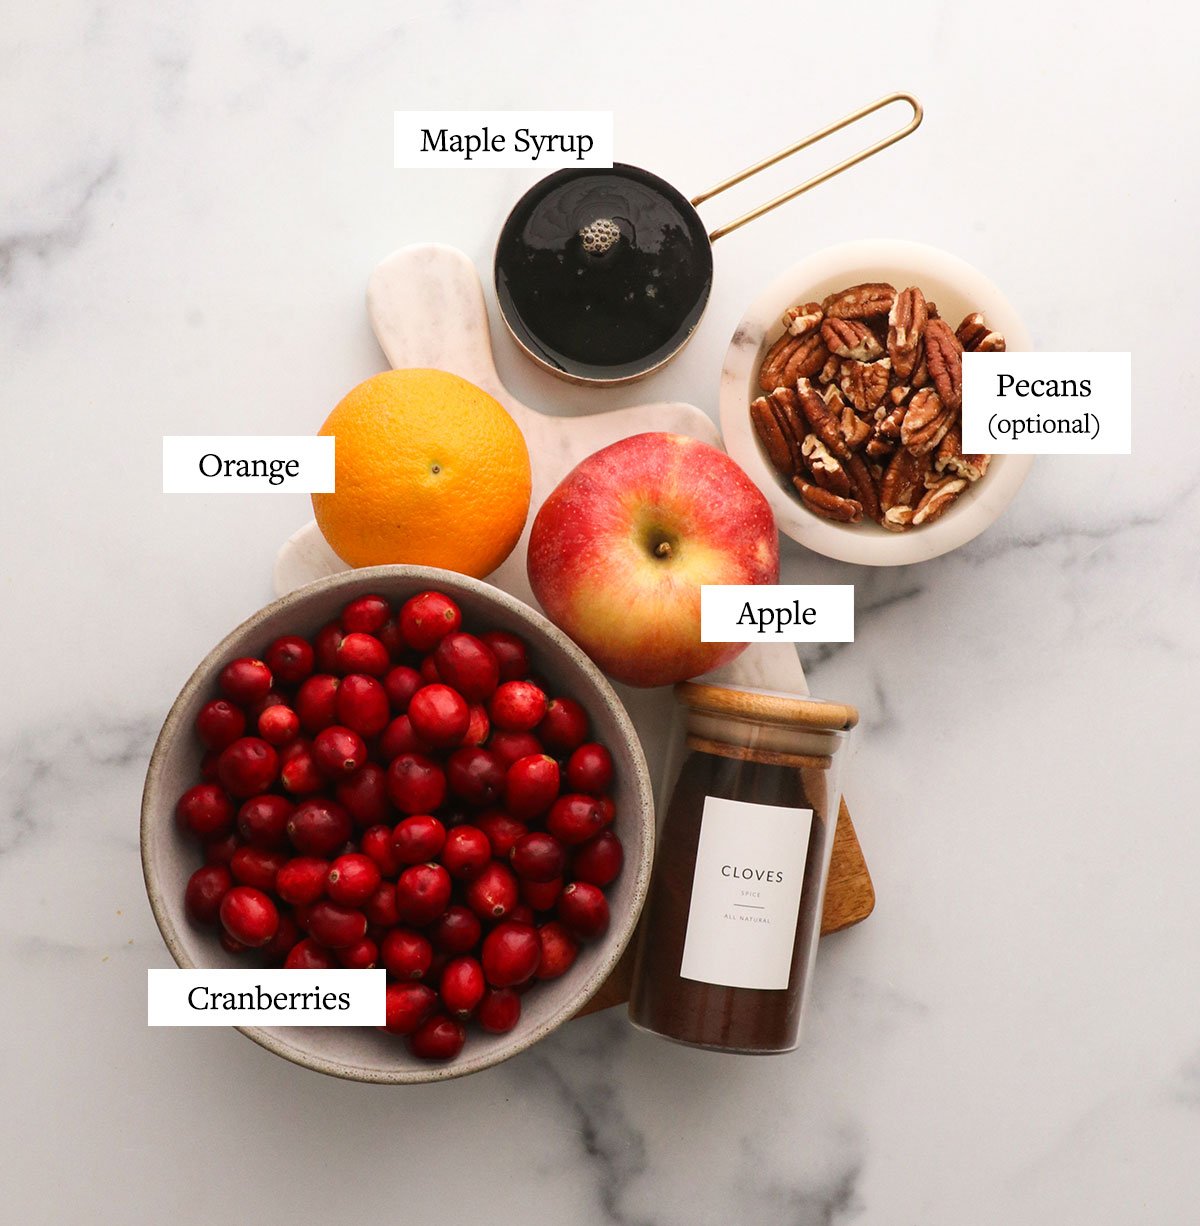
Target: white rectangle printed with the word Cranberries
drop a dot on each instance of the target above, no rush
(280, 997)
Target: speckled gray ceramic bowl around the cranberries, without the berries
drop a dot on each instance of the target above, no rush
(169, 859)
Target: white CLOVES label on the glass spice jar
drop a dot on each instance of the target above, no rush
(746, 894)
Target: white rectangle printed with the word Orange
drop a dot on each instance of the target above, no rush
(248, 464)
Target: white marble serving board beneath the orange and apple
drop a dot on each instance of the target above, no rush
(426, 305)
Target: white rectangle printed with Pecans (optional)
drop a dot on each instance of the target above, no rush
(1047, 404)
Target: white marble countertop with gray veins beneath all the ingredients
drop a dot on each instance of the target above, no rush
(193, 200)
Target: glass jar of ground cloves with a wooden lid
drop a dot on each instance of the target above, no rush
(730, 930)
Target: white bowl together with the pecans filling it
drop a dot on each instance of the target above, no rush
(841, 398)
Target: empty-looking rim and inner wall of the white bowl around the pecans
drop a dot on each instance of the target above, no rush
(958, 289)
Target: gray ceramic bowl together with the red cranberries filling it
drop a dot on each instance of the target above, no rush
(409, 769)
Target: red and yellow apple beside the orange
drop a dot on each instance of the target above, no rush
(621, 549)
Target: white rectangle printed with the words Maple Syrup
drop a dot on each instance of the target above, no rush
(546, 140)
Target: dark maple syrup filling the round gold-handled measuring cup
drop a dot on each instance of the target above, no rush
(609, 313)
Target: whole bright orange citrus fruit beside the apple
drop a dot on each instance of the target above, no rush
(430, 470)
